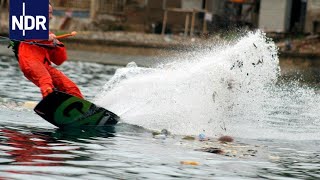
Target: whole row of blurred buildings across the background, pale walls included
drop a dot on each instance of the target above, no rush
(182, 16)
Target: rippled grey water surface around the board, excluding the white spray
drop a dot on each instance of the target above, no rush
(285, 146)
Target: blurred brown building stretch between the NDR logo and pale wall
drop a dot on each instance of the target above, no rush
(148, 15)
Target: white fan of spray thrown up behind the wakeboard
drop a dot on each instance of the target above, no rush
(227, 89)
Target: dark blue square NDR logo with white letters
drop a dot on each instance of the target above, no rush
(29, 19)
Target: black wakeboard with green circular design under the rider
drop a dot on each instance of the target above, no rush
(64, 110)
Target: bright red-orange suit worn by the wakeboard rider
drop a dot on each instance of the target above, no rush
(35, 63)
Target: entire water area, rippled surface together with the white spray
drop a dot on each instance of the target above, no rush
(236, 89)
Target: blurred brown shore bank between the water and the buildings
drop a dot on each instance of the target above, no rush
(120, 48)
